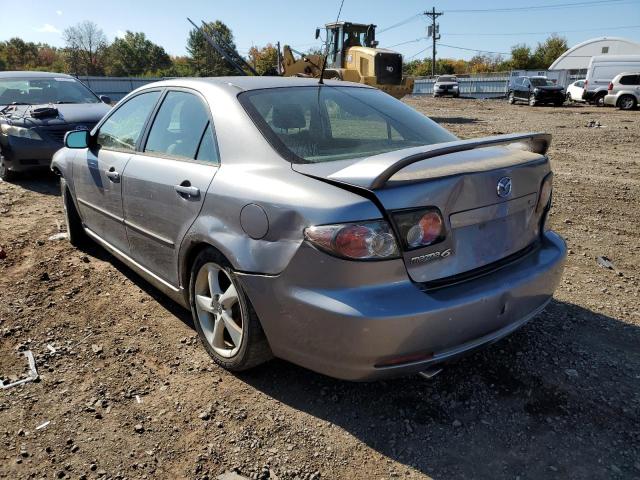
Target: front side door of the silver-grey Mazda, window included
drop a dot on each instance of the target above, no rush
(97, 171)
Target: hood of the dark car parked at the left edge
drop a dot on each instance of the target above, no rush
(68, 113)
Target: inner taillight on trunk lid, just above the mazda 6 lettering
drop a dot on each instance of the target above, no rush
(420, 228)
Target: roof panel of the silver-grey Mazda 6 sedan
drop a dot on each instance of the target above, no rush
(246, 83)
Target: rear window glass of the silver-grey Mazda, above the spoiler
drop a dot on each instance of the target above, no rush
(327, 123)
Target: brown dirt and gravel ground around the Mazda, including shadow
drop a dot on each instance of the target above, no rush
(129, 393)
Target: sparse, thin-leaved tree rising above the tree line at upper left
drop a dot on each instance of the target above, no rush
(86, 46)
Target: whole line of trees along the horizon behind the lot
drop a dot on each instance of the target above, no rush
(88, 52)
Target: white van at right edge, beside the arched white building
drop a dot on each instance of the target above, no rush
(601, 71)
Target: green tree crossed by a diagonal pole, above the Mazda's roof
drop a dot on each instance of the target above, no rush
(205, 61)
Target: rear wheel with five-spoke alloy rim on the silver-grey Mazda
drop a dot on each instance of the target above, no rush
(224, 318)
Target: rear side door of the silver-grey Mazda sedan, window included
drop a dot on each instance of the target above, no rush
(165, 183)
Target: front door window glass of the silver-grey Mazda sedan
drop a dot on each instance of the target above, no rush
(123, 128)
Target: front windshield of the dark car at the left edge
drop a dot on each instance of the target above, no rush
(32, 91)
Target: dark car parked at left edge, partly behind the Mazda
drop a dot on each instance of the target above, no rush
(36, 110)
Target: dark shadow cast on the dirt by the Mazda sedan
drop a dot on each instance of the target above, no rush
(538, 404)
